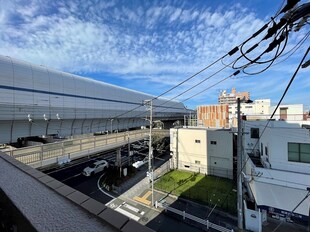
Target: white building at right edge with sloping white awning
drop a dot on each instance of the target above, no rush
(277, 168)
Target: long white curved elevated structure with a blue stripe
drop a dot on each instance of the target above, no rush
(38, 101)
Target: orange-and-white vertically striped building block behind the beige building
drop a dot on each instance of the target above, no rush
(215, 116)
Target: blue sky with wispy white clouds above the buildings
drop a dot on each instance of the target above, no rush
(151, 46)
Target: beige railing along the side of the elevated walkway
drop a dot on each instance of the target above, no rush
(70, 148)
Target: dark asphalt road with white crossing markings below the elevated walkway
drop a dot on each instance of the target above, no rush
(155, 219)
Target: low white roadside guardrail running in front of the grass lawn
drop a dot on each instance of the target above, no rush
(185, 215)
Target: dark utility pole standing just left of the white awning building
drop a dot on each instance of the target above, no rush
(239, 170)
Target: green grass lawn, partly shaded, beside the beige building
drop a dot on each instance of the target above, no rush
(209, 190)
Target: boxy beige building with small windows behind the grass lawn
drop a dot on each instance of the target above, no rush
(202, 150)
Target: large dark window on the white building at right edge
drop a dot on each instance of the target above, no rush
(299, 152)
